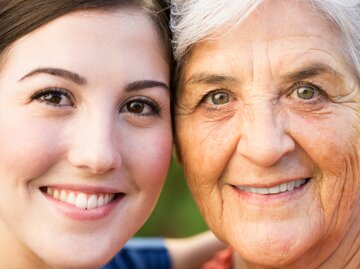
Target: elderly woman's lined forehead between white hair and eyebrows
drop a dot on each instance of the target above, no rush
(273, 30)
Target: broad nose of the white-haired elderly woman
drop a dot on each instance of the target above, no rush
(264, 139)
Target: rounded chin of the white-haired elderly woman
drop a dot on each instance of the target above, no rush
(272, 244)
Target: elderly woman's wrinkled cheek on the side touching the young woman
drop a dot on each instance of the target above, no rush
(205, 147)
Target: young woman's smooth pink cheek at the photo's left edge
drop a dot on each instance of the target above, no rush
(22, 156)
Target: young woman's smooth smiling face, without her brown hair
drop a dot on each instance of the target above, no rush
(85, 137)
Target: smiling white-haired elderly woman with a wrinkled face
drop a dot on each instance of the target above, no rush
(268, 127)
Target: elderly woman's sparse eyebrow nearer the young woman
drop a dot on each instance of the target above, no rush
(209, 78)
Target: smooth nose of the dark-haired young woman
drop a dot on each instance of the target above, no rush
(95, 146)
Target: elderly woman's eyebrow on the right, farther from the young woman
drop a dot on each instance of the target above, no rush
(309, 71)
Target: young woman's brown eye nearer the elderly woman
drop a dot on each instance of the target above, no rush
(140, 106)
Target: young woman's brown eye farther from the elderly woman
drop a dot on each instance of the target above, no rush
(54, 96)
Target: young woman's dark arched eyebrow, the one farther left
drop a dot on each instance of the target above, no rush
(68, 75)
